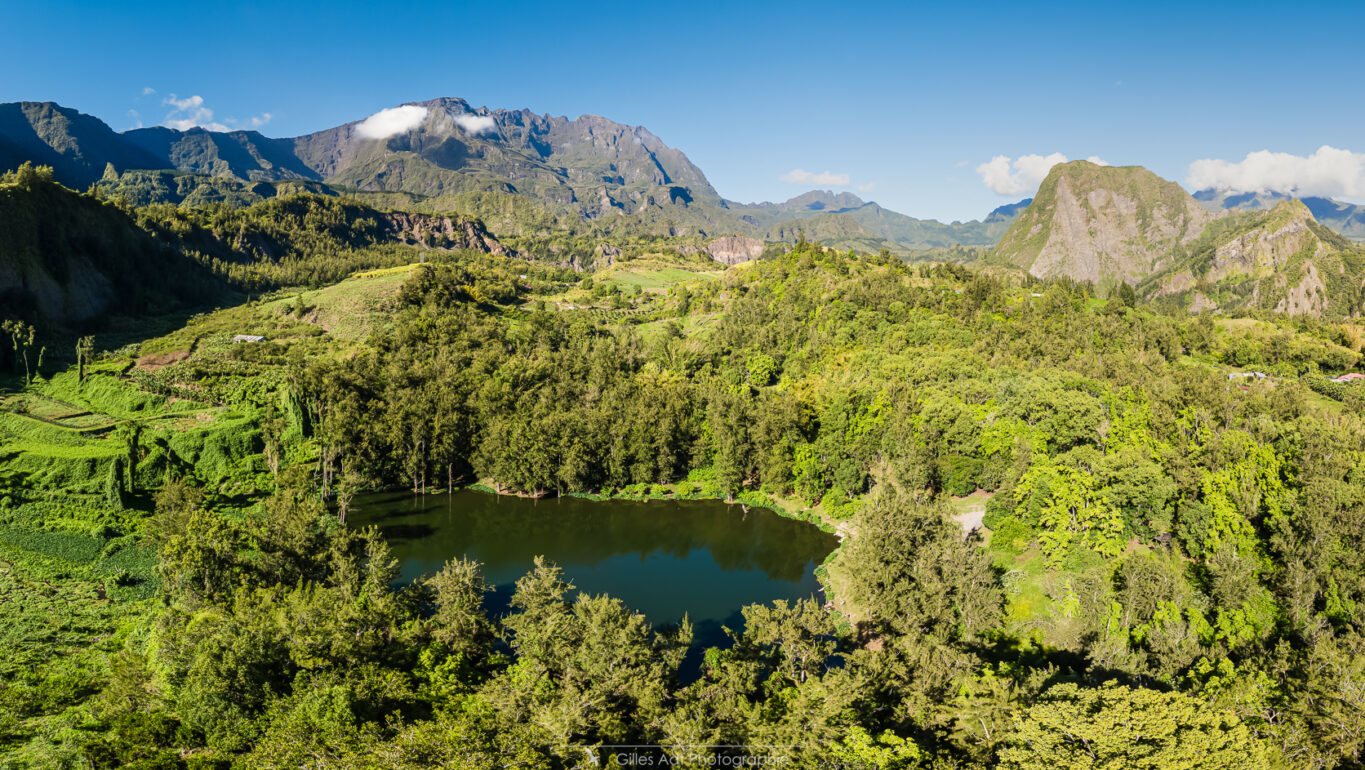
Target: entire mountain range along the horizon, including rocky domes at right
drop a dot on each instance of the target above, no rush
(530, 177)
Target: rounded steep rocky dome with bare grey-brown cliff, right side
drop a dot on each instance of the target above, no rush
(1094, 223)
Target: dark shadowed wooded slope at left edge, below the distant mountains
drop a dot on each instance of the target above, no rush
(70, 259)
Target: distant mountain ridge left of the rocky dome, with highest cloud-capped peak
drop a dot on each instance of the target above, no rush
(581, 173)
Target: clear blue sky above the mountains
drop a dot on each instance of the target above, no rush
(907, 102)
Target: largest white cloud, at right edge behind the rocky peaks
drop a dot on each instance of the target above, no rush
(1329, 173)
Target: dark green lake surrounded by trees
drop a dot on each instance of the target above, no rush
(664, 559)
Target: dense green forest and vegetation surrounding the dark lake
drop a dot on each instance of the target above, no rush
(1169, 574)
